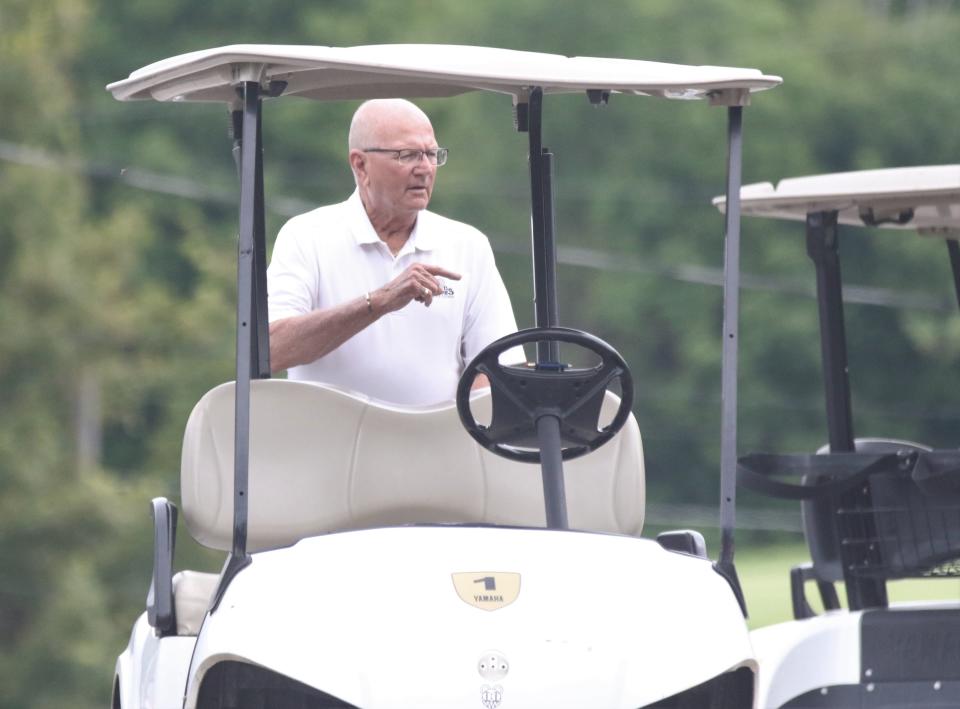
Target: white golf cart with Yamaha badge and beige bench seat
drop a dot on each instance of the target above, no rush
(390, 557)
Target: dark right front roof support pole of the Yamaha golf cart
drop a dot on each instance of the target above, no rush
(731, 318)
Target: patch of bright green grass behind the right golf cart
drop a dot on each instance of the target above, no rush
(764, 574)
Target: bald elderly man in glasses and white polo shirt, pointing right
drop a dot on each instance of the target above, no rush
(377, 294)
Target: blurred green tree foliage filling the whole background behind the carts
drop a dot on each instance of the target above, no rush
(118, 302)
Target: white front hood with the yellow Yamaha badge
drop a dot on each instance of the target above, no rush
(401, 618)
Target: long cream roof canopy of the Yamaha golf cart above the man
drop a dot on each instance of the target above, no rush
(424, 70)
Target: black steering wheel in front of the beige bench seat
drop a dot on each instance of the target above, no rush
(521, 395)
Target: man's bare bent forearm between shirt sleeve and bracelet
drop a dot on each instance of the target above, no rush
(301, 339)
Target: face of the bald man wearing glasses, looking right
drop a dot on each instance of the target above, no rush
(392, 188)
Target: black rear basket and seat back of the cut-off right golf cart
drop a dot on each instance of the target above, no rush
(889, 510)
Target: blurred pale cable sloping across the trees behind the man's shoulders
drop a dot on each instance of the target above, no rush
(189, 188)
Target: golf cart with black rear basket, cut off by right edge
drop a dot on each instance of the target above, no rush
(874, 509)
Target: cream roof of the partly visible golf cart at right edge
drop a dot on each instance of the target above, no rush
(926, 199)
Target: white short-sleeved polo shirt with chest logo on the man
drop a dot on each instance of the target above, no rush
(413, 355)
